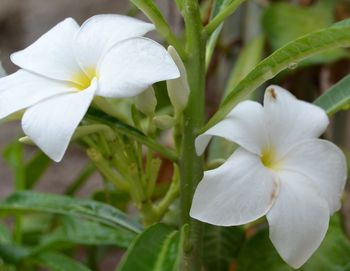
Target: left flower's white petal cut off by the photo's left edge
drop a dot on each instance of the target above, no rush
(22, 89)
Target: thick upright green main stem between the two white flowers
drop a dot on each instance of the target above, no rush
(191, 166)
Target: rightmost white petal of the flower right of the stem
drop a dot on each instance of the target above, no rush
(324, 164)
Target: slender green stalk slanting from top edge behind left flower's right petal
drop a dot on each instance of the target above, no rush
(153, 13)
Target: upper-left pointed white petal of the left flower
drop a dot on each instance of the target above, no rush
(52, 54)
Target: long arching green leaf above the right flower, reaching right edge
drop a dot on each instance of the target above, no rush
(287, 56)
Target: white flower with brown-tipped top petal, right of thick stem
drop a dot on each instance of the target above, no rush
(280, 170)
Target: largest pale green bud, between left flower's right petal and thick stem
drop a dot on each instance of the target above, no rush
(178, 89)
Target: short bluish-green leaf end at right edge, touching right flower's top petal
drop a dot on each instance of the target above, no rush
(336, 98)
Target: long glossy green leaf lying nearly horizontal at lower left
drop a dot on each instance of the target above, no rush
(41, 202)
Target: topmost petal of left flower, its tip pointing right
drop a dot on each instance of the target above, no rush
(99, 33)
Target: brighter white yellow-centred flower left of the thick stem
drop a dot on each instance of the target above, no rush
(66, 67)
